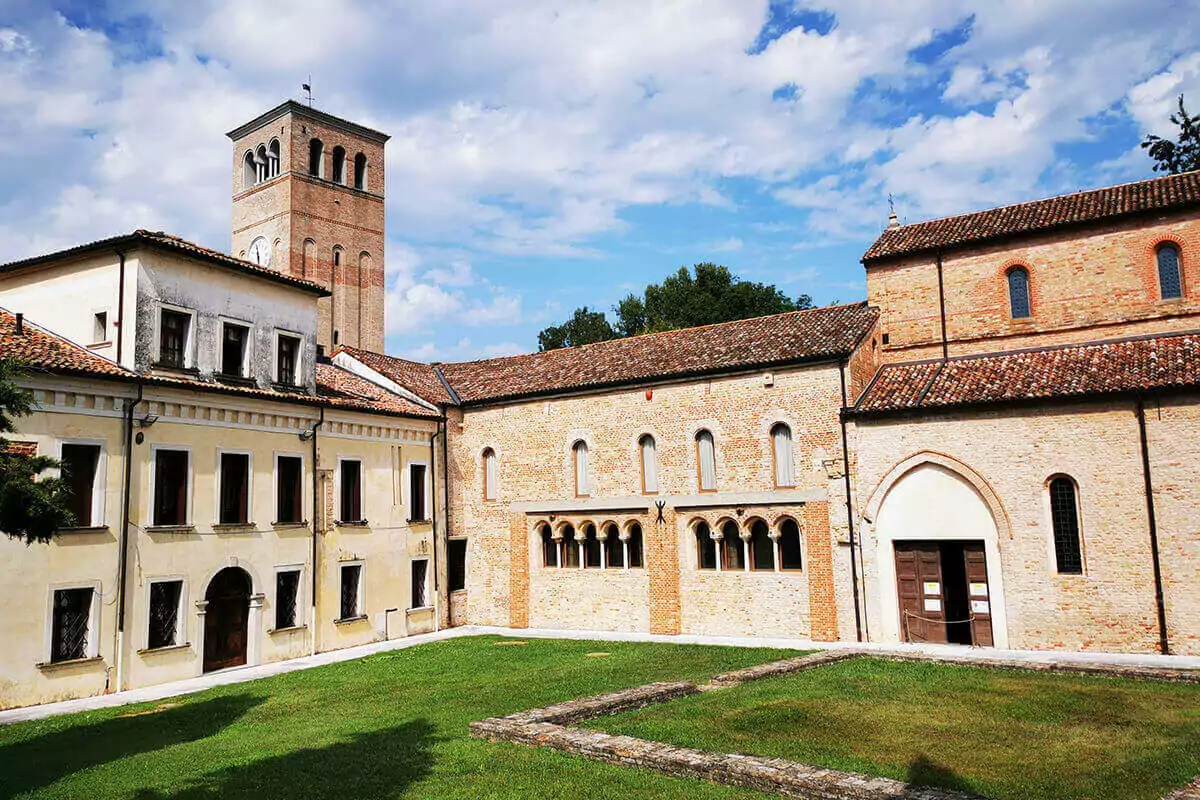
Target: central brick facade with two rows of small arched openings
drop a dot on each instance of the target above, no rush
(509, 586)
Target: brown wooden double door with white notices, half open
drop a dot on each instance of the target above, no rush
(944, 593)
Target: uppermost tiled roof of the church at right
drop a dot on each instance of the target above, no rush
(1155, 195)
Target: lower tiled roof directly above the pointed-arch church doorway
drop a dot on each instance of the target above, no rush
(1120, 366)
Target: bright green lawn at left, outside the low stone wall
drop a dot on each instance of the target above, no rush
(388, 726)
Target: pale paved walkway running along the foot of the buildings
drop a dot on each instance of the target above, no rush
(243, 675)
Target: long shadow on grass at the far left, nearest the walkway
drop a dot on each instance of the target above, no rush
(39, 762)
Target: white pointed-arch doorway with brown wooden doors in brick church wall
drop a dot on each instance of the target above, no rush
(941, 531)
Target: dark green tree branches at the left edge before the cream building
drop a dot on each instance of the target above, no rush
(31, 508)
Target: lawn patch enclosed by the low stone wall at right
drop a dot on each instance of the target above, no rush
(1003, 735)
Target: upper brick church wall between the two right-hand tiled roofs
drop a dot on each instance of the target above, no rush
(1085, 285)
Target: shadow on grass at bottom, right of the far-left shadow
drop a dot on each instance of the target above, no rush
(377, 765)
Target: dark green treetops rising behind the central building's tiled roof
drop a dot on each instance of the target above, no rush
(704, 296)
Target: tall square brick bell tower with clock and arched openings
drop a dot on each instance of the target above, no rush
(308, 200)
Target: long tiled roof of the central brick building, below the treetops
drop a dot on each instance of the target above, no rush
(749, 344)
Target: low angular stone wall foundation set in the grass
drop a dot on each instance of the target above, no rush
(549, 727)
